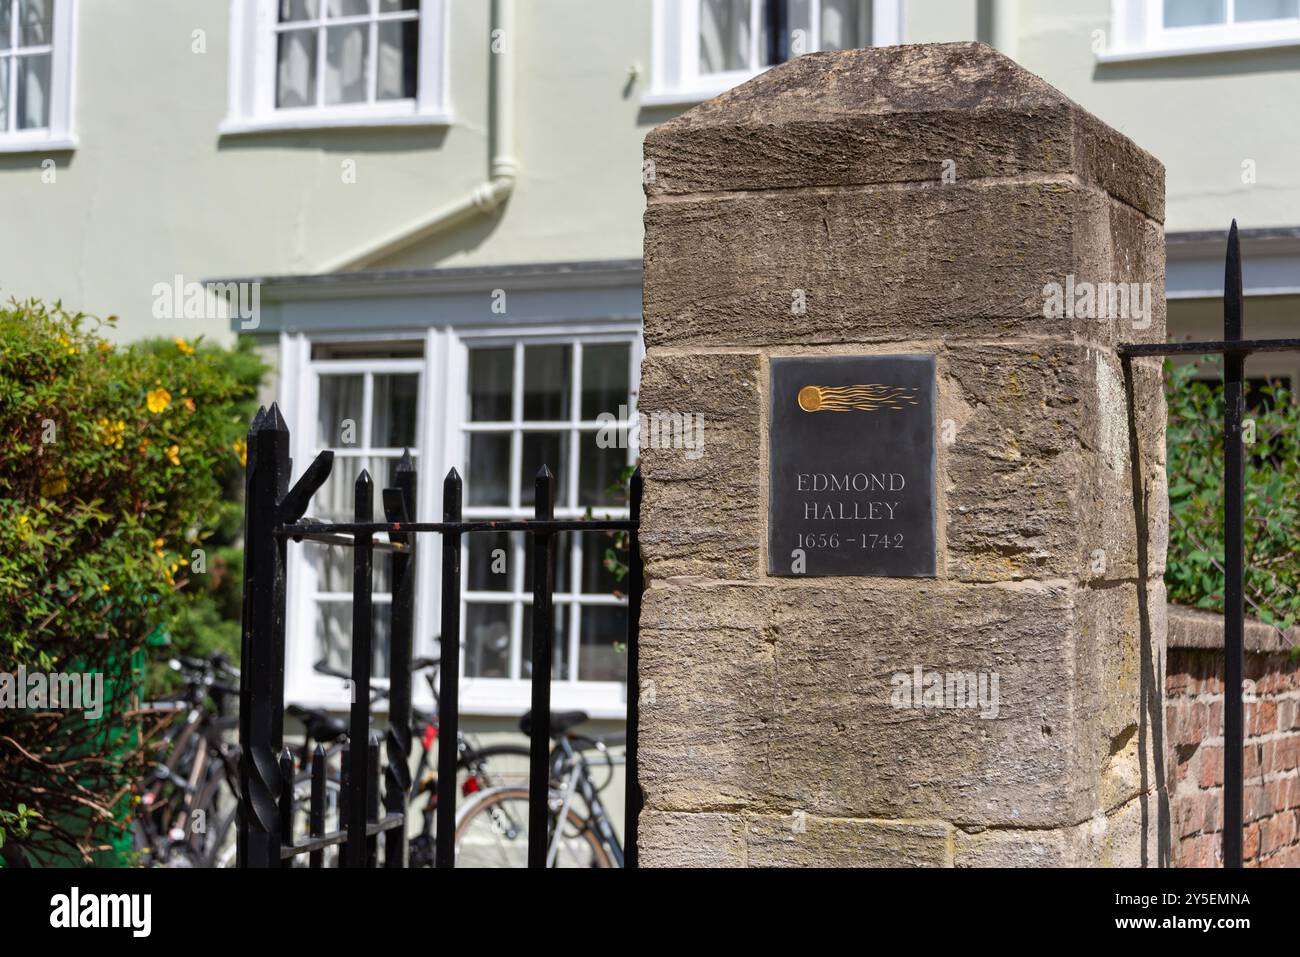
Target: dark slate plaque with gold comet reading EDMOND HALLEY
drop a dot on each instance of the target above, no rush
(852, 449)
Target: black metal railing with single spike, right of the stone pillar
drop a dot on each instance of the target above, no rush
(1234, 349)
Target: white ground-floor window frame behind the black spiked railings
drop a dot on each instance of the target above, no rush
(443, 445)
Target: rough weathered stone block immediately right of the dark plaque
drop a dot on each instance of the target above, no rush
(1041, 458)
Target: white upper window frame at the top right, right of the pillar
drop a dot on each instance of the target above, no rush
(1138, 32)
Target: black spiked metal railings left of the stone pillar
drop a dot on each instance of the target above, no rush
(274, 514)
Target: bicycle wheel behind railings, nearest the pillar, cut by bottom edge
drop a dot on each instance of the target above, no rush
(493, 833)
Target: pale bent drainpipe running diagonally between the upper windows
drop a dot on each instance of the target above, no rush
(504, 167)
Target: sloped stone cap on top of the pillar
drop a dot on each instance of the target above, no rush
(894, 115)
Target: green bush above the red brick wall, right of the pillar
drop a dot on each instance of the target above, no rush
(1195, 461)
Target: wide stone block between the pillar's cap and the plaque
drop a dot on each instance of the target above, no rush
(968, 261)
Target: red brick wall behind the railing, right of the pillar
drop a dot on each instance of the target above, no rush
(1194, 748)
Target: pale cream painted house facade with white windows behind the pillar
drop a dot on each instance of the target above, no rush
(437, 206)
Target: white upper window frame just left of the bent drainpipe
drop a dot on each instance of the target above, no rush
(252, 105)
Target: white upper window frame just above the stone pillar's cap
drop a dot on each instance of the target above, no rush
(675, 79)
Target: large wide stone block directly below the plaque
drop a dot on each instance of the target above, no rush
(782, 696)
